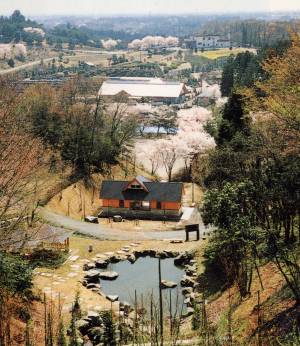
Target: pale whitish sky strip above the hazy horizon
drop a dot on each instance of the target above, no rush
(125, 7)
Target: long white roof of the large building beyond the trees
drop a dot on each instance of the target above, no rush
(141, 87)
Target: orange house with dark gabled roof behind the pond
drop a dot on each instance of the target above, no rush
(141, 198)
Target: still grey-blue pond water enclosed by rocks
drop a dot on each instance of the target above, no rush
(142, 276)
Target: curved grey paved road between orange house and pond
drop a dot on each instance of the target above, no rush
(106, 232)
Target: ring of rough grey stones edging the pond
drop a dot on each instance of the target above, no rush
(184, 259)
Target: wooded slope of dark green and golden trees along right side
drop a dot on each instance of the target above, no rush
(252, 181)
